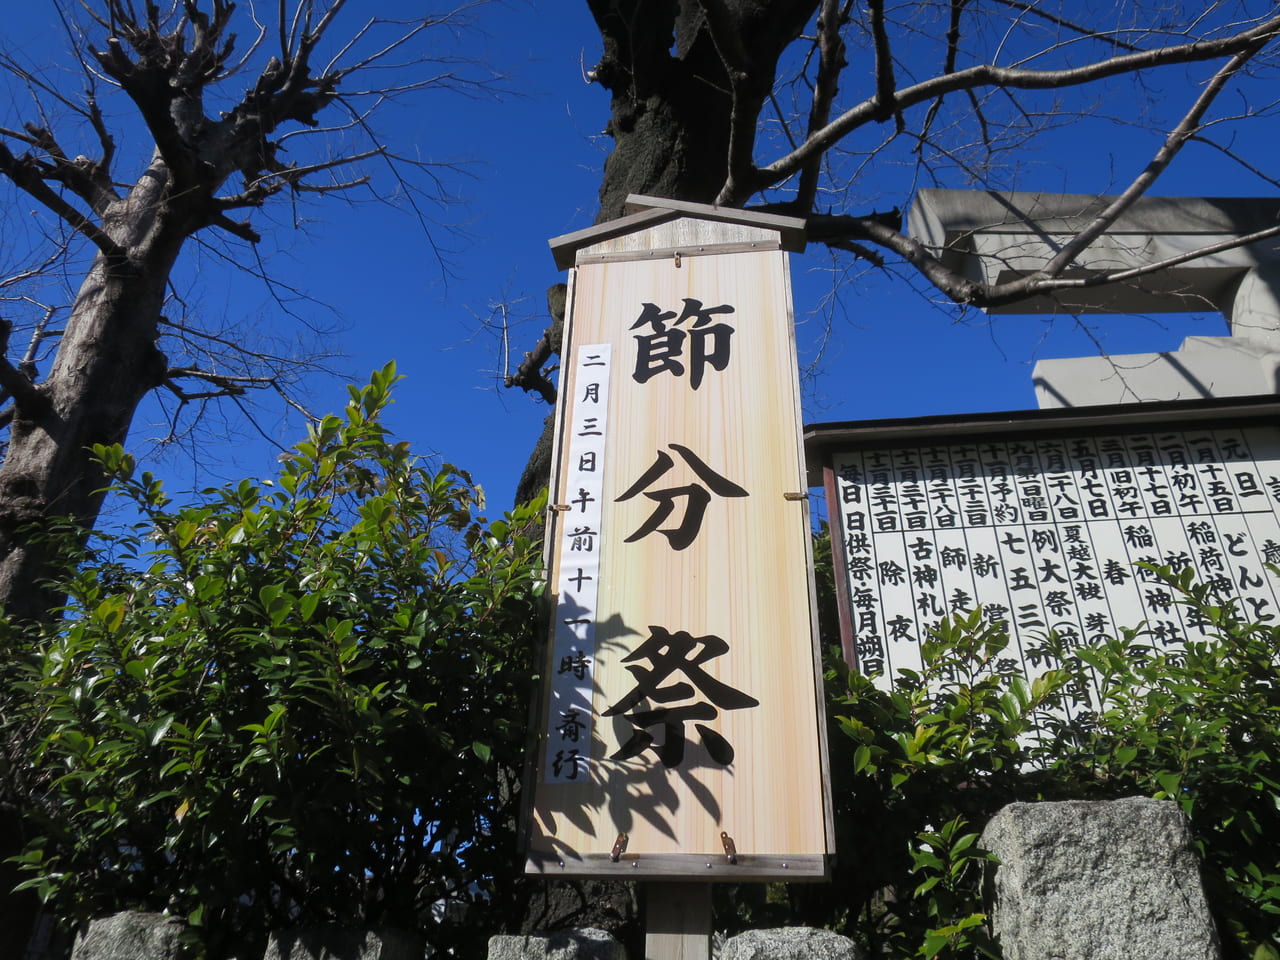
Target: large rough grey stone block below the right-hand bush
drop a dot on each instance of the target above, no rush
(1098, 881)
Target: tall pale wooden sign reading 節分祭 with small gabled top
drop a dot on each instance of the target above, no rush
(682, 726)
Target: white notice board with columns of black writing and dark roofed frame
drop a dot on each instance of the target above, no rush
(1046, 519)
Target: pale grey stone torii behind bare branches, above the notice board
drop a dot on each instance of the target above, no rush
(995, 237)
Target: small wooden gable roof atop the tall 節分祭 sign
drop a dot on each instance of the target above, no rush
(655, 227)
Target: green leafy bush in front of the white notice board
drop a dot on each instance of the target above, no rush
(920, 770)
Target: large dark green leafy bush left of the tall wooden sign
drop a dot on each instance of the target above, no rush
(298, 702)
